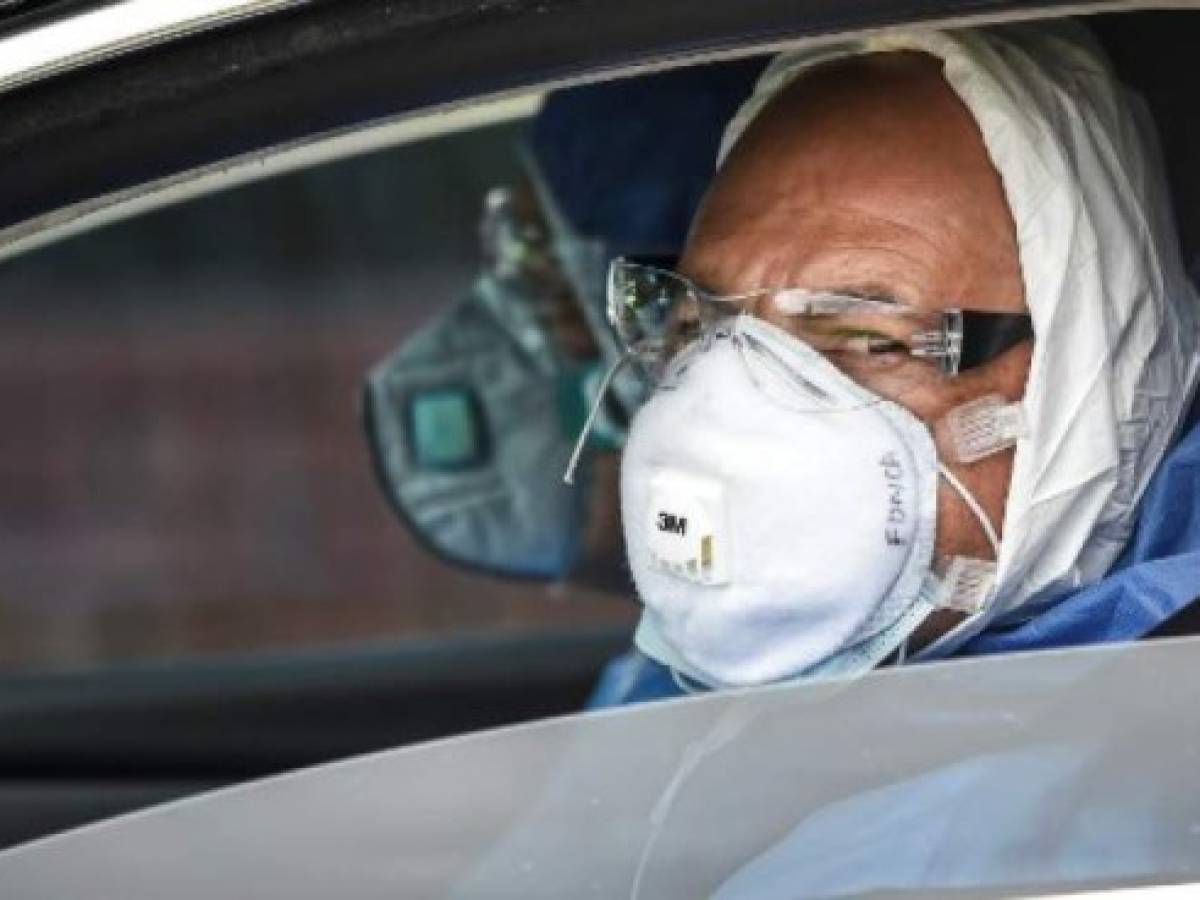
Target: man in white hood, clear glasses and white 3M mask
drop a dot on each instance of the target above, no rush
(937, 341)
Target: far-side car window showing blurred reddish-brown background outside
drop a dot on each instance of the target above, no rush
(184, 470)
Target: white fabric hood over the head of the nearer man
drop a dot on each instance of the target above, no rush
(1115, 319)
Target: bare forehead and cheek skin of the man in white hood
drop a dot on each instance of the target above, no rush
(871, 176)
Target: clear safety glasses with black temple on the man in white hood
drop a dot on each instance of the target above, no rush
(657, 313)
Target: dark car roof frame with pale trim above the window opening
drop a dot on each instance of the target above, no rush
(116, 136)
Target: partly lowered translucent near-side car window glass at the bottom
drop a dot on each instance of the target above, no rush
(1007, 777)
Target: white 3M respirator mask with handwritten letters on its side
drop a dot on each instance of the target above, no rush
(779, 518)
